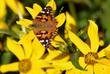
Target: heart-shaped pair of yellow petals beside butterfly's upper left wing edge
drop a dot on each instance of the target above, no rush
(34, 12)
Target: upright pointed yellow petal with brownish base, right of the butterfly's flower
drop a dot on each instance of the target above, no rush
(70, 22)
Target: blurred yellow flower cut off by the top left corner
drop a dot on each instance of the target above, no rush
(12, 5)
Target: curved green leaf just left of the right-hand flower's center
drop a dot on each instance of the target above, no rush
(75, 60)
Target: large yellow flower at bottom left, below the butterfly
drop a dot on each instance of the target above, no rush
(29, 52)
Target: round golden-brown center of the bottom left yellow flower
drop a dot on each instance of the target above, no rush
(25, 65)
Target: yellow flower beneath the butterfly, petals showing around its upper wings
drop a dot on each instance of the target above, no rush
(36, 10)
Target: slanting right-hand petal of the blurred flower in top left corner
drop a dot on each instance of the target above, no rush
(15, 6)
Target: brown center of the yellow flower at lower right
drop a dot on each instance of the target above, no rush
(90, 58)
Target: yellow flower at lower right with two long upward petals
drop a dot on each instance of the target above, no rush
(92, 60)
